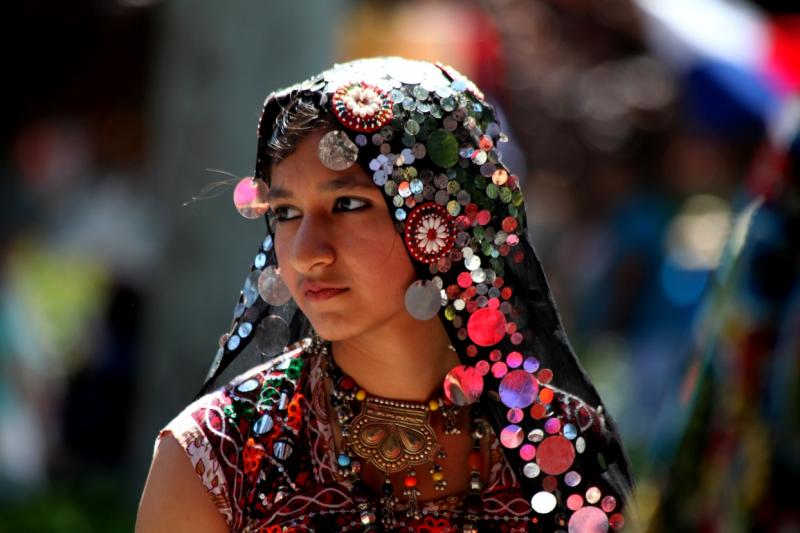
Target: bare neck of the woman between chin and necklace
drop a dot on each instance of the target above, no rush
(402, 361)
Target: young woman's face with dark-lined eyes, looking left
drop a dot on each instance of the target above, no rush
(345, 264)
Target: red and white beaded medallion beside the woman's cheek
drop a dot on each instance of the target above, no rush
(429, 232)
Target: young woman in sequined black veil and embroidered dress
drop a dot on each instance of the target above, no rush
(428, 384)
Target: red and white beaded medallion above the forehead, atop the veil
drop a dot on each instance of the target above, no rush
(362, 107)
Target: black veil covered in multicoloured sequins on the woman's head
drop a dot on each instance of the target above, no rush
(428, 139)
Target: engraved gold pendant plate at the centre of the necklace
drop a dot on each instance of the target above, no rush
(393, 435)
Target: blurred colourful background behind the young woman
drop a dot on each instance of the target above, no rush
(657, 142)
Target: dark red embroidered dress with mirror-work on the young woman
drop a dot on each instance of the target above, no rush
(263, 448)
